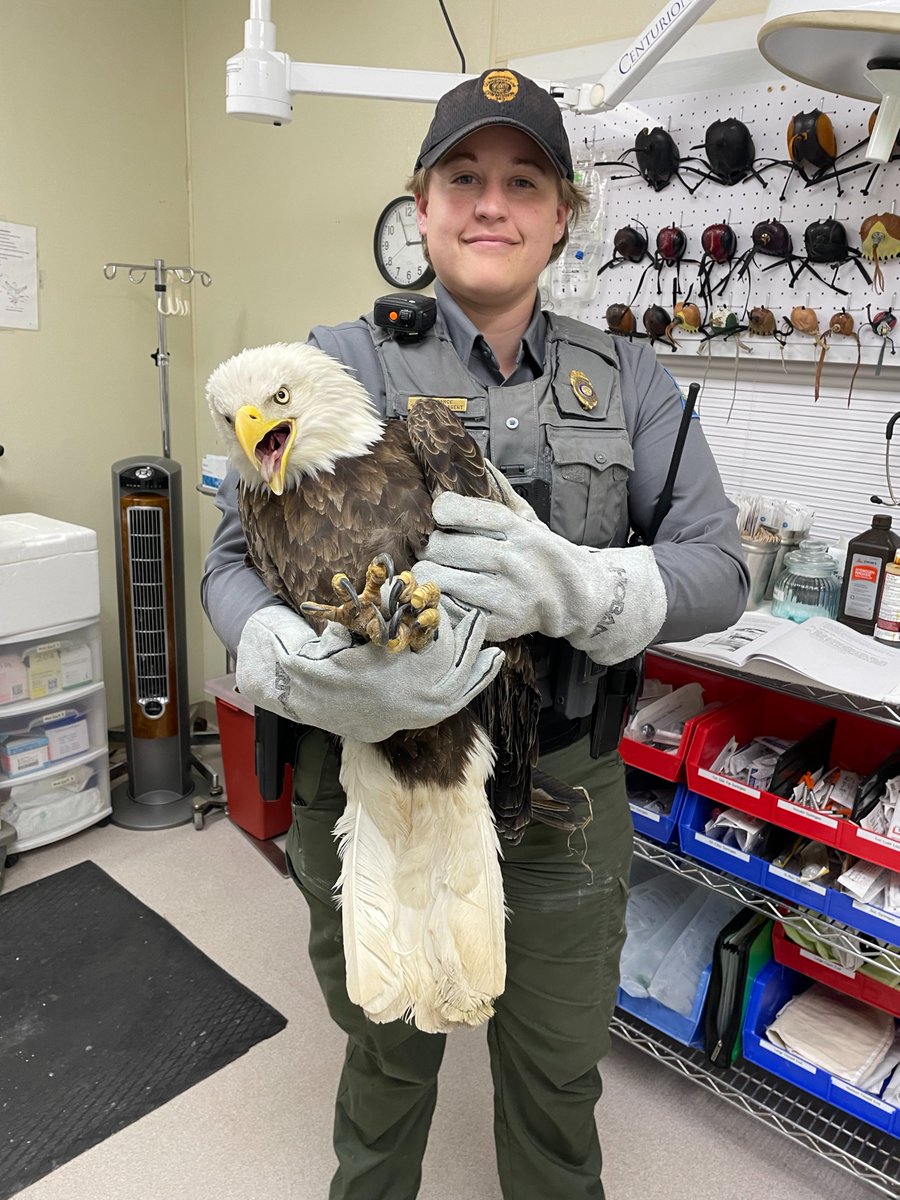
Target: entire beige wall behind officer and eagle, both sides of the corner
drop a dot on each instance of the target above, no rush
(101, 152)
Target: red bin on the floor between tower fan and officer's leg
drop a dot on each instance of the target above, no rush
(247, 807)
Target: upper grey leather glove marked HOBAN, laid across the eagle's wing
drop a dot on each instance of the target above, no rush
(526, 579)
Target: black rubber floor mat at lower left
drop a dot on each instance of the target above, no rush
(106, 1012)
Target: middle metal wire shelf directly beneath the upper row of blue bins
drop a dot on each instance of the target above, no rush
(837, 937)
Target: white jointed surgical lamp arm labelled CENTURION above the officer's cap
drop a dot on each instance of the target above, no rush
(261, 81)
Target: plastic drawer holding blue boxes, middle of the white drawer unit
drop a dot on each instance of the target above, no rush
(43, 739)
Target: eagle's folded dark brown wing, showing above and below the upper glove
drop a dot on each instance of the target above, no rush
(509, 707)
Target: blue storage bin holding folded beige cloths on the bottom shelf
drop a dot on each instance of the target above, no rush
(773, 988)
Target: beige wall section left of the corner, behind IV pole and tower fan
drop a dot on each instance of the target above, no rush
(93, 154)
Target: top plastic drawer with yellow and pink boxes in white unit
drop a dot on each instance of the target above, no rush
(51, 667)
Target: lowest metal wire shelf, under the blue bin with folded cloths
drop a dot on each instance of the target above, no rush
(867, 1154)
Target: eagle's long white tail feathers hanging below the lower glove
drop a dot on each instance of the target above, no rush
(422, 893)
